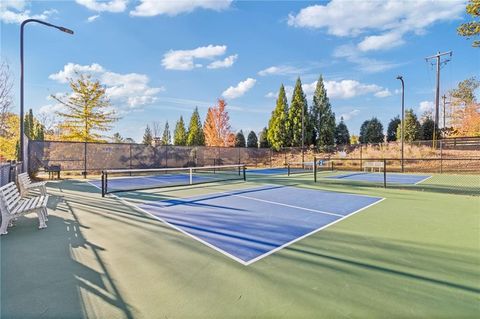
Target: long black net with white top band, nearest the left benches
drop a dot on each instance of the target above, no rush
(126, 180)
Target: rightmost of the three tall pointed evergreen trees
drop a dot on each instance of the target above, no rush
(322, 117)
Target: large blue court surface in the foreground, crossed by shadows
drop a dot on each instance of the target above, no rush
(249, 224)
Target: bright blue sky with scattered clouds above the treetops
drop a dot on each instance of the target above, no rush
(160, 59)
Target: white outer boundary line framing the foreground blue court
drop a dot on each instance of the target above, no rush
(251, 261)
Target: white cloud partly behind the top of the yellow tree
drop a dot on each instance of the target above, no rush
(130, 89)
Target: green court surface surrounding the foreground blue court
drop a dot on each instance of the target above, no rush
(415, 254)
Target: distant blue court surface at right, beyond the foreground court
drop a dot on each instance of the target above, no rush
(378, 178)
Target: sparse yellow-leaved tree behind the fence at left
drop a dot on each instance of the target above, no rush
(87, 110)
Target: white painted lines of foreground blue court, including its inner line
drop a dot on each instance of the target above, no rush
(251, 261)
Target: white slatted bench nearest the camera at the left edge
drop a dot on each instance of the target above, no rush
(13, 206)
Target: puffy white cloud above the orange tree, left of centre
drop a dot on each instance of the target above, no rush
(185, 59)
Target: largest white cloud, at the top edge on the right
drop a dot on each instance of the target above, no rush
(391, 18)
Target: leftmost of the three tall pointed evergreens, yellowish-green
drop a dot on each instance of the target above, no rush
(277, 133)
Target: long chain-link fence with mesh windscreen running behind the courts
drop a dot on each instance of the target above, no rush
(448, 155)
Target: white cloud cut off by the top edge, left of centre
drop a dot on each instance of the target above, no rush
(148, 8)
